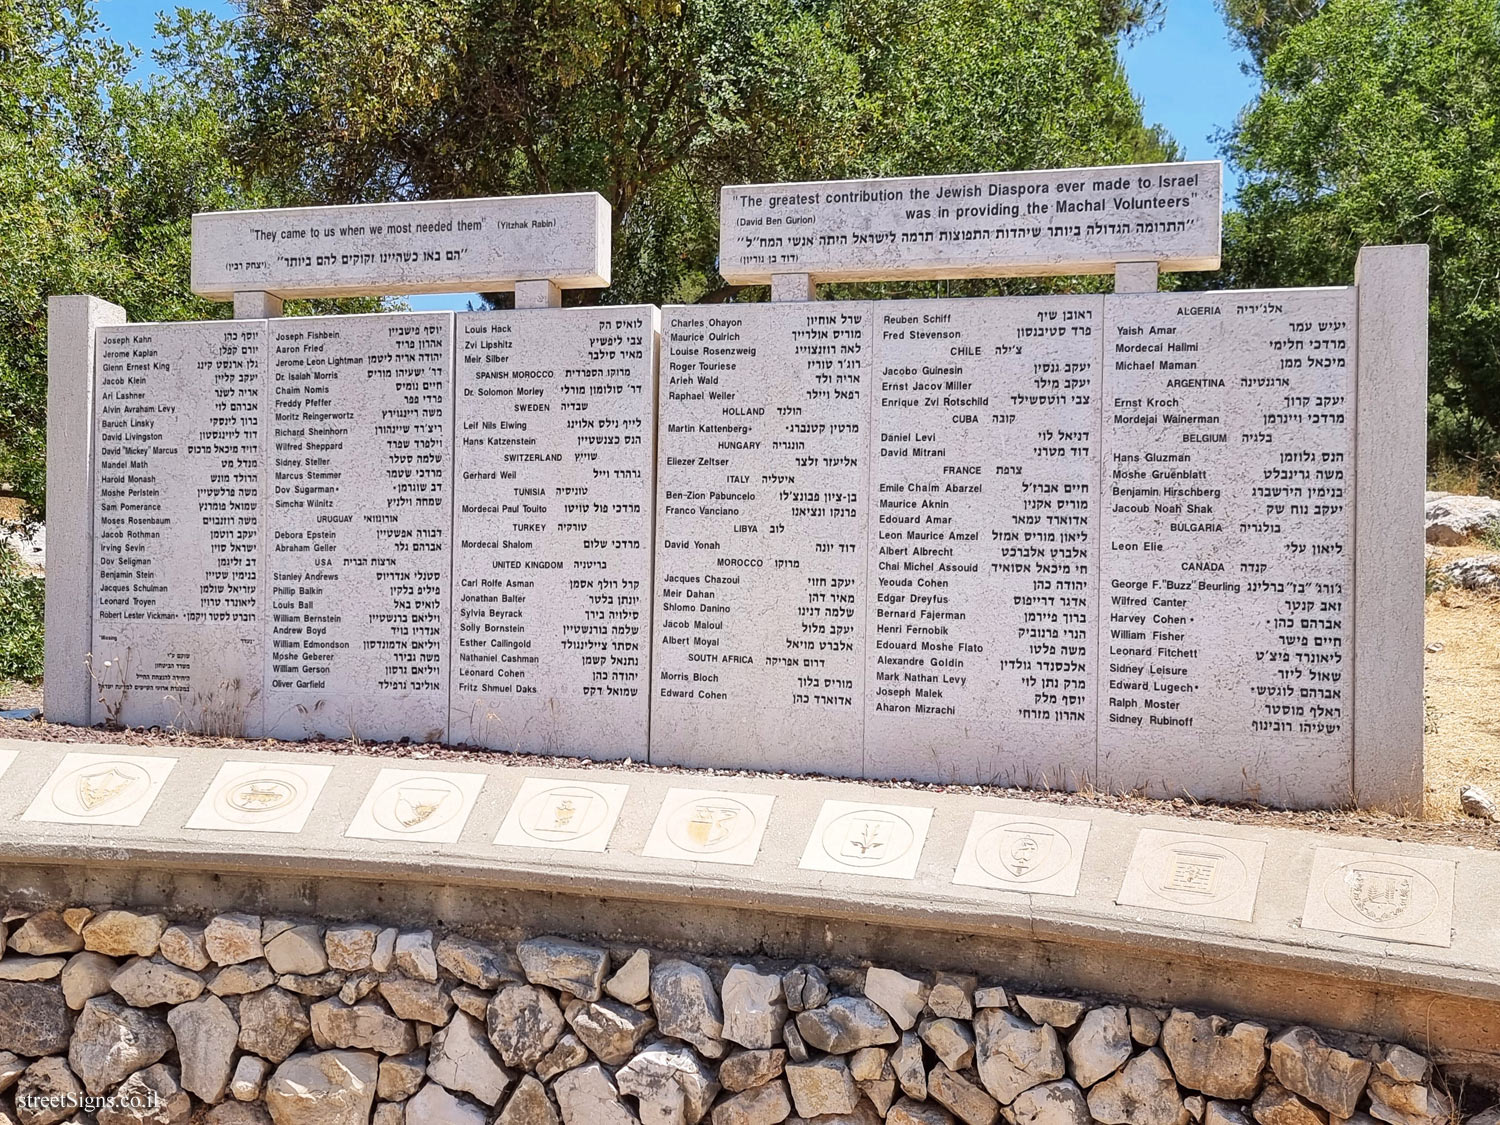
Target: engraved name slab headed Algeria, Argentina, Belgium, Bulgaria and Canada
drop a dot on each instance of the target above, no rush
(1228, 521)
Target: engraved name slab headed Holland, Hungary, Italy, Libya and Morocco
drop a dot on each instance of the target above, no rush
(761, 538)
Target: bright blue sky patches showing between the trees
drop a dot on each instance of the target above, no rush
(1187, 76)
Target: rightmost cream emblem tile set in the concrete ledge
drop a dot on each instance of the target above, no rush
(1379, 895)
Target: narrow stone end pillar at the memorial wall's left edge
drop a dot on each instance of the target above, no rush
(71, 325)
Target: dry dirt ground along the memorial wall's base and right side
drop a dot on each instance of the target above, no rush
(1463, 740)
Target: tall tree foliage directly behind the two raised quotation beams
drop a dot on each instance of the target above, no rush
(658, 103)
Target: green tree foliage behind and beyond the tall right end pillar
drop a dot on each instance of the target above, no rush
(1379, 122)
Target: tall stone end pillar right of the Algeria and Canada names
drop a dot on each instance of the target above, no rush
(1388, 479)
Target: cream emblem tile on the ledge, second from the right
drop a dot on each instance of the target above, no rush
(1216, 877)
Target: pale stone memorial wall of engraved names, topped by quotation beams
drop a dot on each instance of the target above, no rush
(1040, 541)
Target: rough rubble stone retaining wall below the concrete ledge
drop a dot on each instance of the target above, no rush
(118, 1016)
